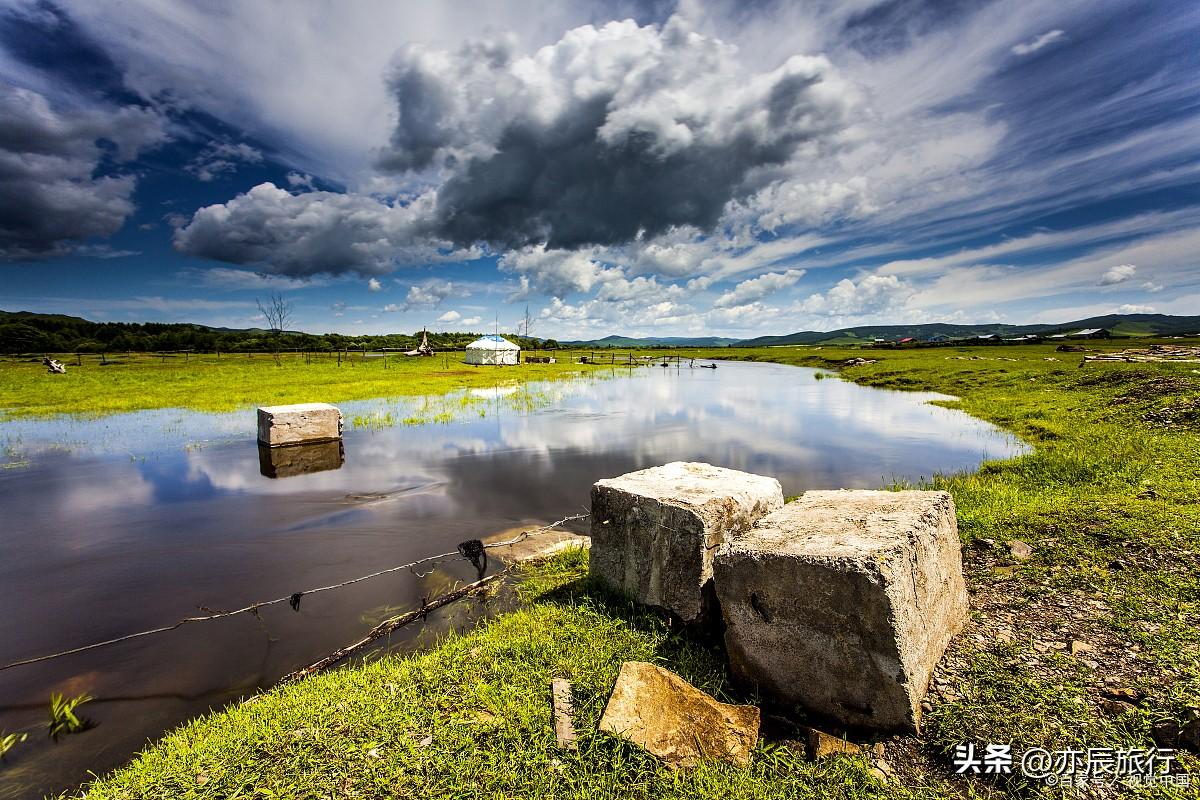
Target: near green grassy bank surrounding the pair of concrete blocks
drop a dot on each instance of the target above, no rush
(1094, 641)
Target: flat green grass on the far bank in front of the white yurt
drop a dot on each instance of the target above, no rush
(211, 383)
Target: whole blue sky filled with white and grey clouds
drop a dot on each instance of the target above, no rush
(703, 169)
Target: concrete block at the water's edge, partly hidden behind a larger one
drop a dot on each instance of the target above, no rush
(655, 531)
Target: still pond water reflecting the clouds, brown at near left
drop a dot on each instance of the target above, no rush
(125, 524)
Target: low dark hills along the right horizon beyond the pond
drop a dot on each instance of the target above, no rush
(1120, 326)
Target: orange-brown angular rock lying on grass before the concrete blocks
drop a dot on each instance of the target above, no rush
(671, 719)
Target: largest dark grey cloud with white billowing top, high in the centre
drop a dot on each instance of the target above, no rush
(609, 135)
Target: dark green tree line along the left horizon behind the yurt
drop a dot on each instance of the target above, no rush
(27, 333)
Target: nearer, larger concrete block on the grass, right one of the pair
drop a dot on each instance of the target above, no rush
(845, 601)
